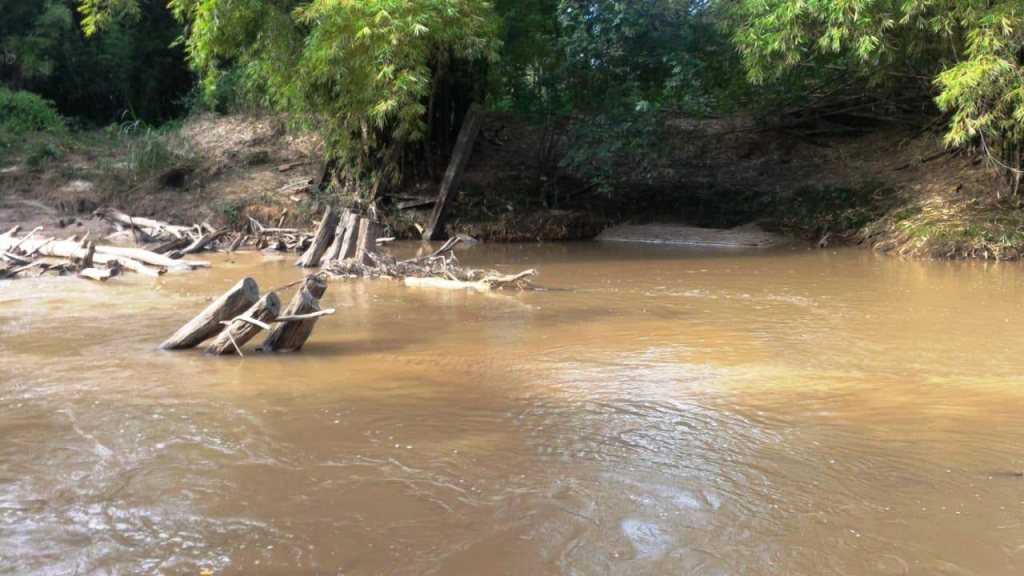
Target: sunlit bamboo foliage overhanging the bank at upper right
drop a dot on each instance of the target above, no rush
(972, 52)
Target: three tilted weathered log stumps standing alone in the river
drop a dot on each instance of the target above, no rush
(237, 317)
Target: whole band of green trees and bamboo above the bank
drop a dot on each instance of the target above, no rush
(387, 83)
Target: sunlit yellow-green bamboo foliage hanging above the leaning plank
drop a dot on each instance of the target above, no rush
(361, 72)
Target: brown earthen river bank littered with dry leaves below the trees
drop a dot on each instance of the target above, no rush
(881, 186)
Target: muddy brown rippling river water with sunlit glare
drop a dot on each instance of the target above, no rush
(658, 412)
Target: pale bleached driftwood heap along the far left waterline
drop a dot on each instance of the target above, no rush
(21, 256)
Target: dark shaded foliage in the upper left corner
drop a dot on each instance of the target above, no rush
(44, 50)
